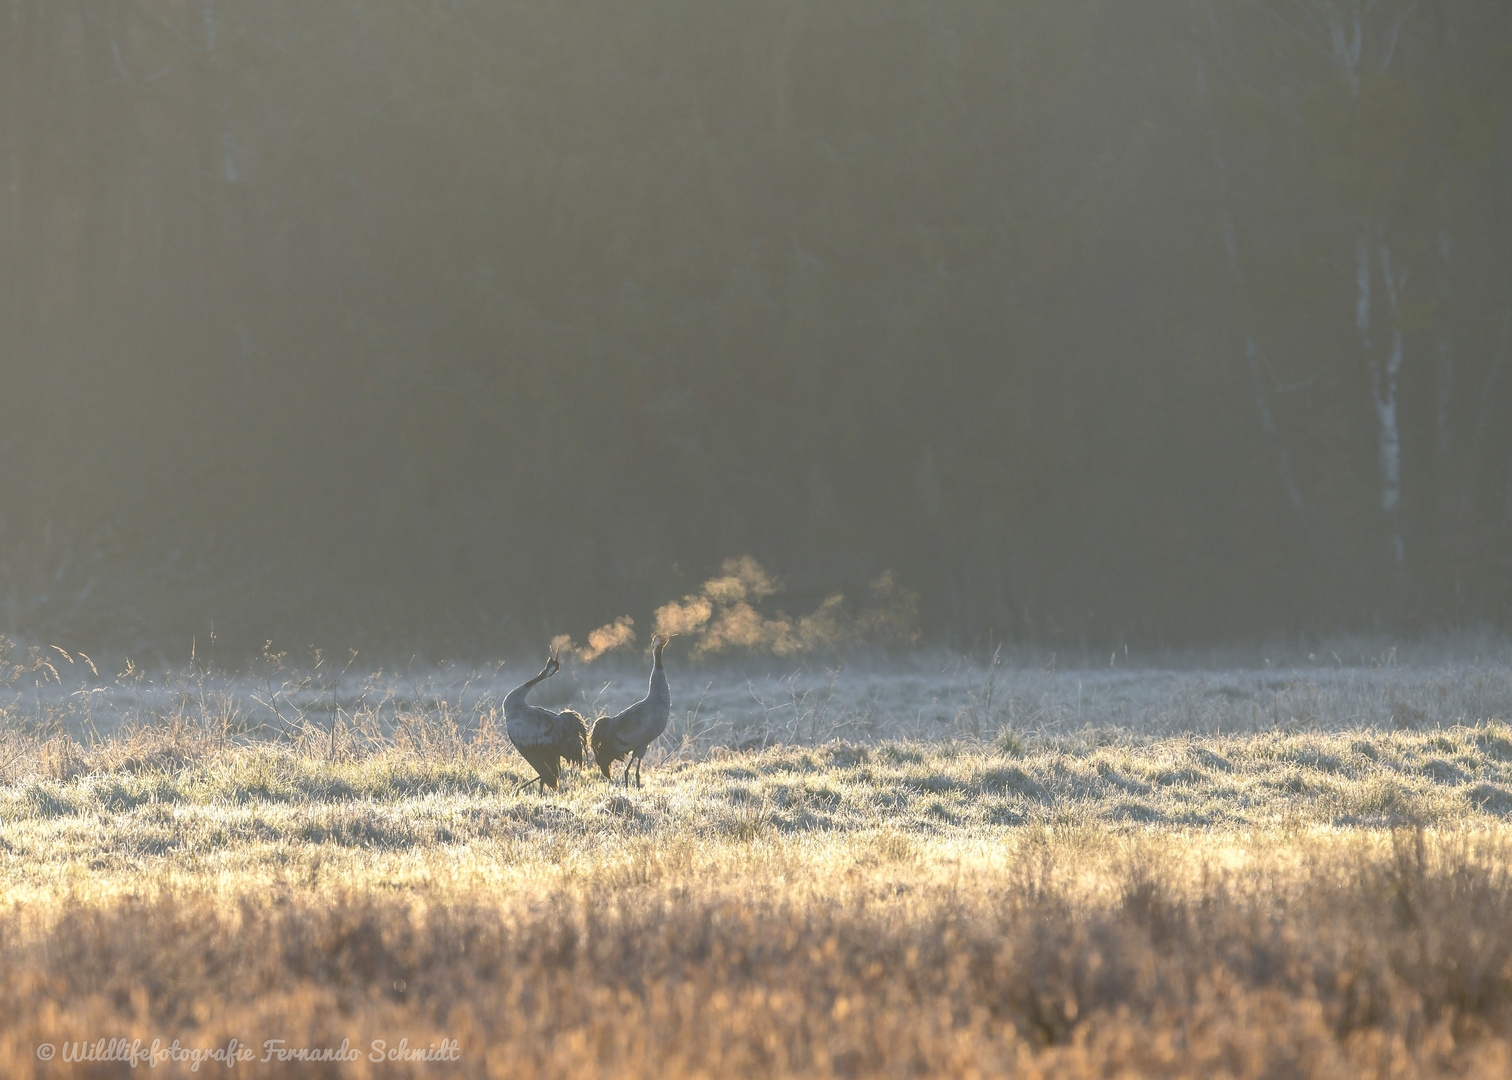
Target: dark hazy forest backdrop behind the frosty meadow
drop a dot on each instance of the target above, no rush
(457, 323)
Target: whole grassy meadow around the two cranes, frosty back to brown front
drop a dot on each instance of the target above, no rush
(973, 872)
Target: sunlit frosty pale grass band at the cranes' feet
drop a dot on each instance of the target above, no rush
(267, 808)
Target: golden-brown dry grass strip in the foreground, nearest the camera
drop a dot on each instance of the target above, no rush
(1052, 954)
